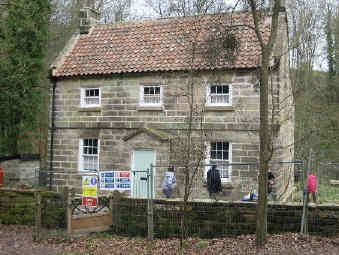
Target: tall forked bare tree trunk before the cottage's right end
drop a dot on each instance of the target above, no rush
(267, 48)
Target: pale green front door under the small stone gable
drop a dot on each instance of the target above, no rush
(142, 160)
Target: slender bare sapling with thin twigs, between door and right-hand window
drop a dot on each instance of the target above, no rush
(188, 146)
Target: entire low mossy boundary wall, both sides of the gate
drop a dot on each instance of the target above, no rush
(205, 219)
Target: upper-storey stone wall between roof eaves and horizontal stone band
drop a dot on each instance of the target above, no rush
(120, 102)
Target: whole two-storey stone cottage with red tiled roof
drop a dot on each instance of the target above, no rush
(118, 99)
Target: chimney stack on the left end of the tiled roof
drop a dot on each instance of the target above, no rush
(88, 16)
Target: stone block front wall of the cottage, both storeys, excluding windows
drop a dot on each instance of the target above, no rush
(120, 115)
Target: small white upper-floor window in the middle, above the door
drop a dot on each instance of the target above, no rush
(151, 95)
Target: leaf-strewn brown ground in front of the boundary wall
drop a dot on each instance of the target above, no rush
(18, 240)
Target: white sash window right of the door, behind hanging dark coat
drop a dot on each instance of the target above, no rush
(220, 154)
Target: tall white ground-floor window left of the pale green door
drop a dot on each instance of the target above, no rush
(89, 150)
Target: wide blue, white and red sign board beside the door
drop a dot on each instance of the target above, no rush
(115, 180)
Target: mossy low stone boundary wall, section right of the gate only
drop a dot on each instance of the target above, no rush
(208, 220)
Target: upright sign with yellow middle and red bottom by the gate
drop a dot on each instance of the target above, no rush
(89, 190)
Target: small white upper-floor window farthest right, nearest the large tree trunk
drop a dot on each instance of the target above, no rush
(219, 95)
